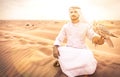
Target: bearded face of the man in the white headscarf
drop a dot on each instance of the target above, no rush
(74, 13)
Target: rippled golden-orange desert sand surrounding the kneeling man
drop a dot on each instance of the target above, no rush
(26, 49)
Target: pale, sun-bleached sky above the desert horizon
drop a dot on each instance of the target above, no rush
(58, 9)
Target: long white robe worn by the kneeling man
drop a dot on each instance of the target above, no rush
(75, 58)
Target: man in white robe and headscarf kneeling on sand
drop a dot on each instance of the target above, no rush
(75, 58)
